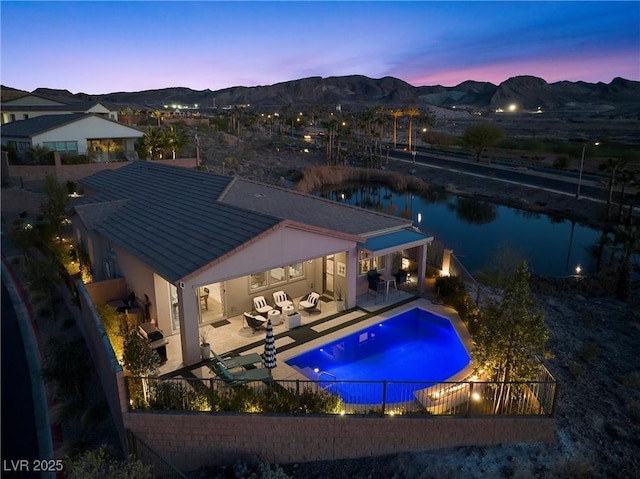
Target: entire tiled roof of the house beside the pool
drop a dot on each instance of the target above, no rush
(178, 220)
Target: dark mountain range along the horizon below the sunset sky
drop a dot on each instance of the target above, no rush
(618, 99)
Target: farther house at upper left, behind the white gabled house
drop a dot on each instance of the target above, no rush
(32, 106)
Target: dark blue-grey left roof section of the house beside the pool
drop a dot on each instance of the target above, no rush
(171, 220)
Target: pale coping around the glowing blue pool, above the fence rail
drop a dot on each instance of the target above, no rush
(284, 372)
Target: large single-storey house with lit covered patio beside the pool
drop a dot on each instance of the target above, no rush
(172, 232)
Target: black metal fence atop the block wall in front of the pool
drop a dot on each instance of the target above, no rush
(466, 398)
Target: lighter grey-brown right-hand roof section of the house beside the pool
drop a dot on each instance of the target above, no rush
(308, 209)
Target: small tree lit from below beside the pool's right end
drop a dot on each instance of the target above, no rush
(512, 335)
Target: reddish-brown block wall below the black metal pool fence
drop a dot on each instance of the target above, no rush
(190, 441)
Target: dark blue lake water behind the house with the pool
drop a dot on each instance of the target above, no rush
(477, 230)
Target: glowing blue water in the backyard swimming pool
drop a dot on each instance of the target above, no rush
(415, 346)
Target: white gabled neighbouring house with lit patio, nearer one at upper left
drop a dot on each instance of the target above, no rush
(73, 134)
